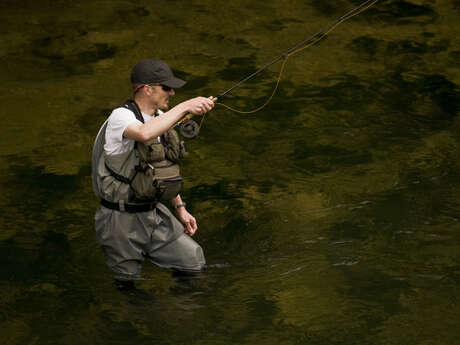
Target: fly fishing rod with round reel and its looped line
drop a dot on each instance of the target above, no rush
(190, 129)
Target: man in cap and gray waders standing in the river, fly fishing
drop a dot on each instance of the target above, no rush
(134, 167)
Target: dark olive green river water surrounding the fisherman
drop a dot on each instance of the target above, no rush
(330, 217)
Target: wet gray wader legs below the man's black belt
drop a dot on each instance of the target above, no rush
(127, 239)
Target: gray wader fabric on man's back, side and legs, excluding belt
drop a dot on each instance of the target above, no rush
(128, 238)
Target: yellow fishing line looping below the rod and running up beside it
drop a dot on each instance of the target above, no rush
(314, 39)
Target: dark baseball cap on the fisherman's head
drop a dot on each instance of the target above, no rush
(153, 71)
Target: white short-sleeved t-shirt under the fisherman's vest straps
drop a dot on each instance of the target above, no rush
(118, 121)
